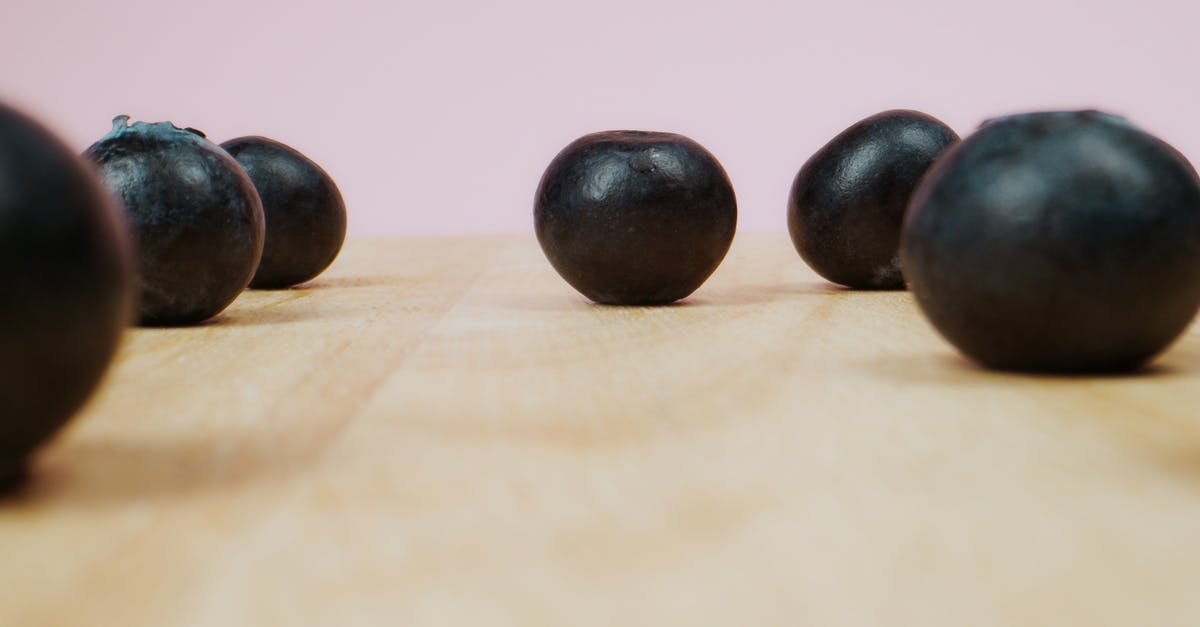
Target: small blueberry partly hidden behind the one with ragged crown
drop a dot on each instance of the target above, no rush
(304, 211)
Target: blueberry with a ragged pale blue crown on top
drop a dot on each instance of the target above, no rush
(196, 218)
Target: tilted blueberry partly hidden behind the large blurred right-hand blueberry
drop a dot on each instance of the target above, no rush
(848, 202)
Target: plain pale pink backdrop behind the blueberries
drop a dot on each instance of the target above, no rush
(440, 117)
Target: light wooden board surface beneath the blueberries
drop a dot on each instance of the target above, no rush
(441, 432)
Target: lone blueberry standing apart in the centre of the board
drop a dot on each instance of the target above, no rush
(633, 218)
